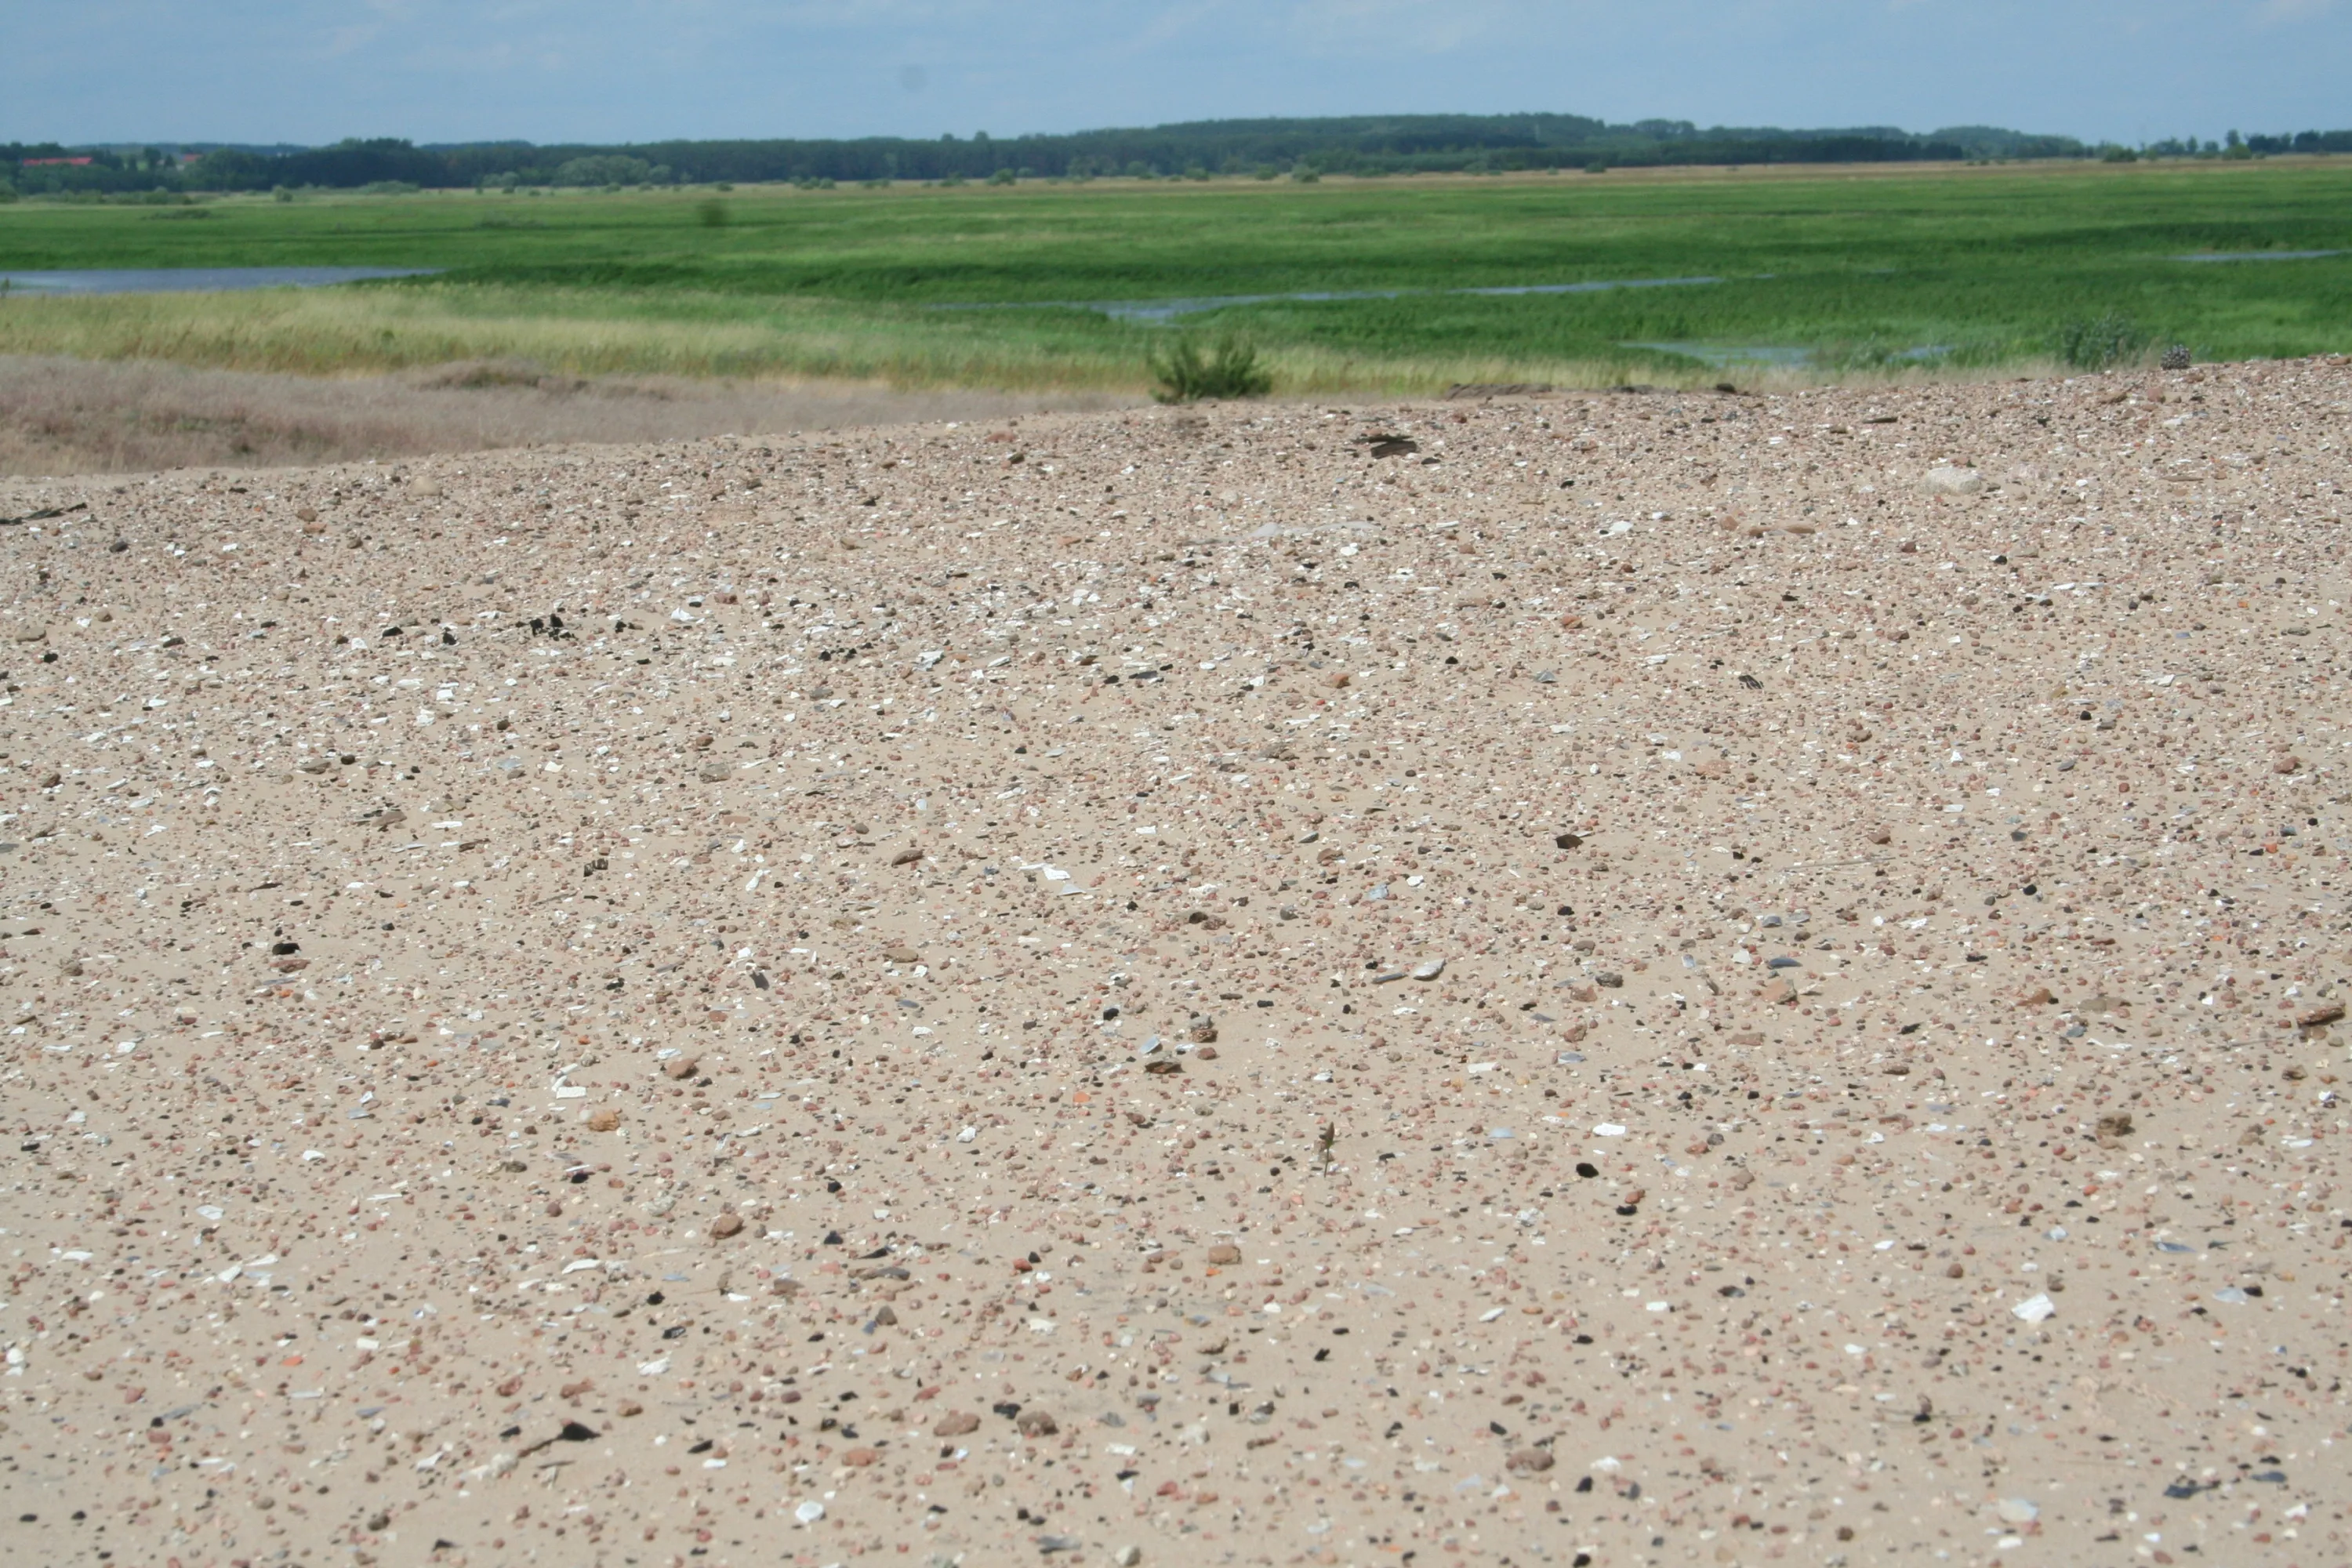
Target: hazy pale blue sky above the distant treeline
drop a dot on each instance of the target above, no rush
(643, 69)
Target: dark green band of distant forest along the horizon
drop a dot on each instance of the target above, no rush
(1368, 145)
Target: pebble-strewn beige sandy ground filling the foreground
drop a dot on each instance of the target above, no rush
(1631, 979)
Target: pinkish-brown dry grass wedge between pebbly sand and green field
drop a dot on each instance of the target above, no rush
(65, 417)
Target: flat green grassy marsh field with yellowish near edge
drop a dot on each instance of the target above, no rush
(1829, 272)
